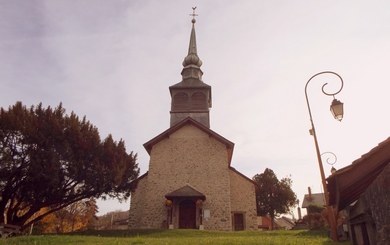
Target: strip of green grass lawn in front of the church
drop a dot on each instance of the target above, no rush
(186, 237)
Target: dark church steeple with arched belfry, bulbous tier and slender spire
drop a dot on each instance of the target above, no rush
(191, 97)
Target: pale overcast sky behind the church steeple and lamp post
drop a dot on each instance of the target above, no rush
(113, 62)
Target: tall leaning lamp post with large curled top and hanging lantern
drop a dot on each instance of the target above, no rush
(337, 111)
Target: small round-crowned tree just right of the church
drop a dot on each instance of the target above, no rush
(273, 197)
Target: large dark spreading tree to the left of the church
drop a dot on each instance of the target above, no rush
(49, 159)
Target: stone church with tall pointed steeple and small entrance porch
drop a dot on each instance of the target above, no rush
(190, 183)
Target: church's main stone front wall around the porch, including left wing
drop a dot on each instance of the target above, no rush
(187, 156)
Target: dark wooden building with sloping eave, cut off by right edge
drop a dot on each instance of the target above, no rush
(362, 189)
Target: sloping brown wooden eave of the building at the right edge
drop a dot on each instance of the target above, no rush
(347, 184)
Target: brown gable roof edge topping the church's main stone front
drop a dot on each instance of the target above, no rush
(229, 145)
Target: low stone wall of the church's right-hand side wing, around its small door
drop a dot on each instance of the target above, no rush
(243, 199)
